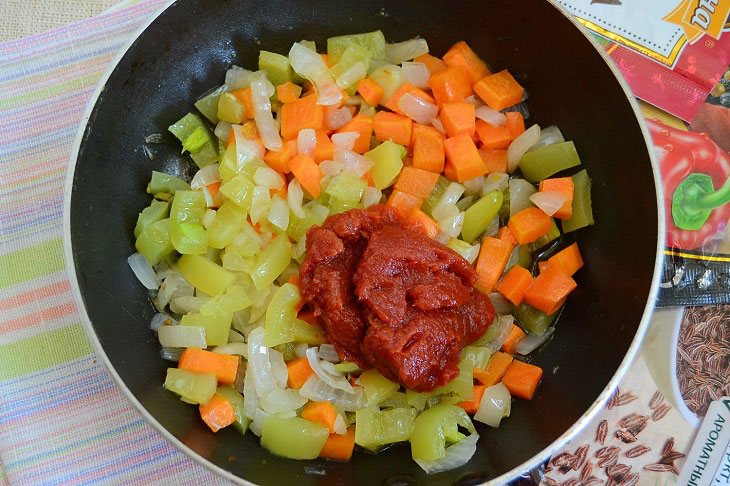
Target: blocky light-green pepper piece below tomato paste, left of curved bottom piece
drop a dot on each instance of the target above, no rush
(376, 428)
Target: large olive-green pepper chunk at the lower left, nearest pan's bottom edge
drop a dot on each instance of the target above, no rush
(295, 437)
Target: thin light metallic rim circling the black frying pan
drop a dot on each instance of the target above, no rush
(527, 465)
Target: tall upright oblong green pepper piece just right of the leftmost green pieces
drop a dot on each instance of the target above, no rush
(186, 231)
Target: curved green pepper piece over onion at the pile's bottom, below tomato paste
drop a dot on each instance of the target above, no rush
(434, 427)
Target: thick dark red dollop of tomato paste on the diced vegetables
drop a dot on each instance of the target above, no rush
(391, 298)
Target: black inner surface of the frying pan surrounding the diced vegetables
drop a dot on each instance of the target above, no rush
(187, 50)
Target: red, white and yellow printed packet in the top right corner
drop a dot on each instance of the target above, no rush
(671, 53)
